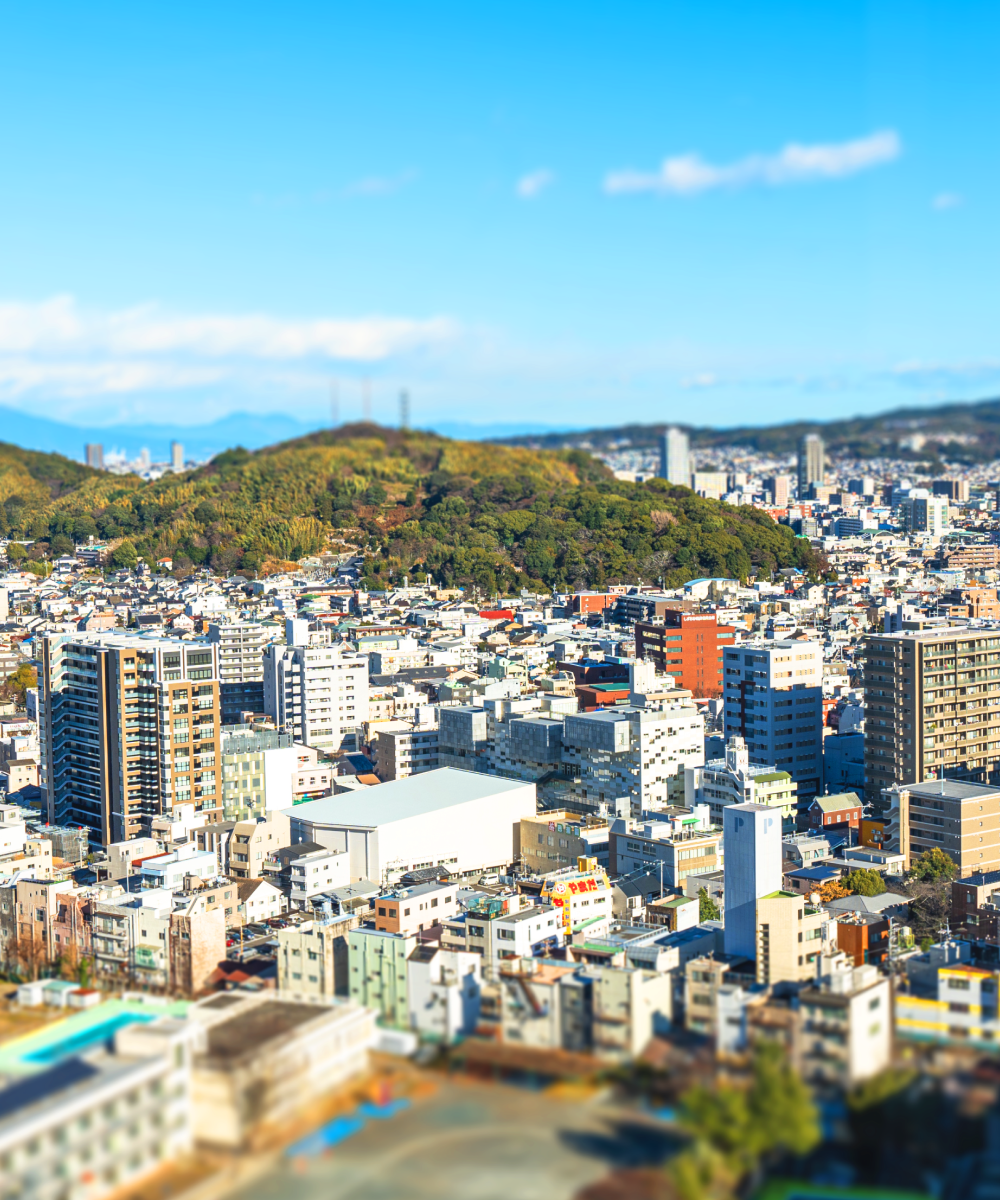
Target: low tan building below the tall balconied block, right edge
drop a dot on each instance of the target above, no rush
(961, 819)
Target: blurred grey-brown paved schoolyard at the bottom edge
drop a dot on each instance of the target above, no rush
(471, 1142)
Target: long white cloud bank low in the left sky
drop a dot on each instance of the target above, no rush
(59, 327)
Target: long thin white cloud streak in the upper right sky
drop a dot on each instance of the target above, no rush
(690, 175)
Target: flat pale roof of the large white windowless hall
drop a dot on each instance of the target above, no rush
(402, 799)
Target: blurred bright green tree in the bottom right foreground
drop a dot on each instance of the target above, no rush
(748, 1126)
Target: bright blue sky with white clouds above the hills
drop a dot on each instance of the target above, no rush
(540, 215)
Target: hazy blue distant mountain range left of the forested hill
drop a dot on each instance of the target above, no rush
(200, 442)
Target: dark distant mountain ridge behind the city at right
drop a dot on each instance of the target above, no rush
(957, 433)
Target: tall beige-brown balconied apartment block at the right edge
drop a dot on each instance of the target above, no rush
(933, 707)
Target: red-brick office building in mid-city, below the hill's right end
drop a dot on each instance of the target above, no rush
(690, 647)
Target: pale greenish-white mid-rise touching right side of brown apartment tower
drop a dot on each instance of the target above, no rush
(259, 770)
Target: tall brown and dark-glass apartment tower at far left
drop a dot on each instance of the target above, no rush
(128, 729)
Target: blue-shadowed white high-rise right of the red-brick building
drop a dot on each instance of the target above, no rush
(774, 700)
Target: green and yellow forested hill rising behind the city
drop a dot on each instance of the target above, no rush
(466, 513)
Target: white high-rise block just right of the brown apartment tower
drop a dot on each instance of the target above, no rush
(320, 693)
